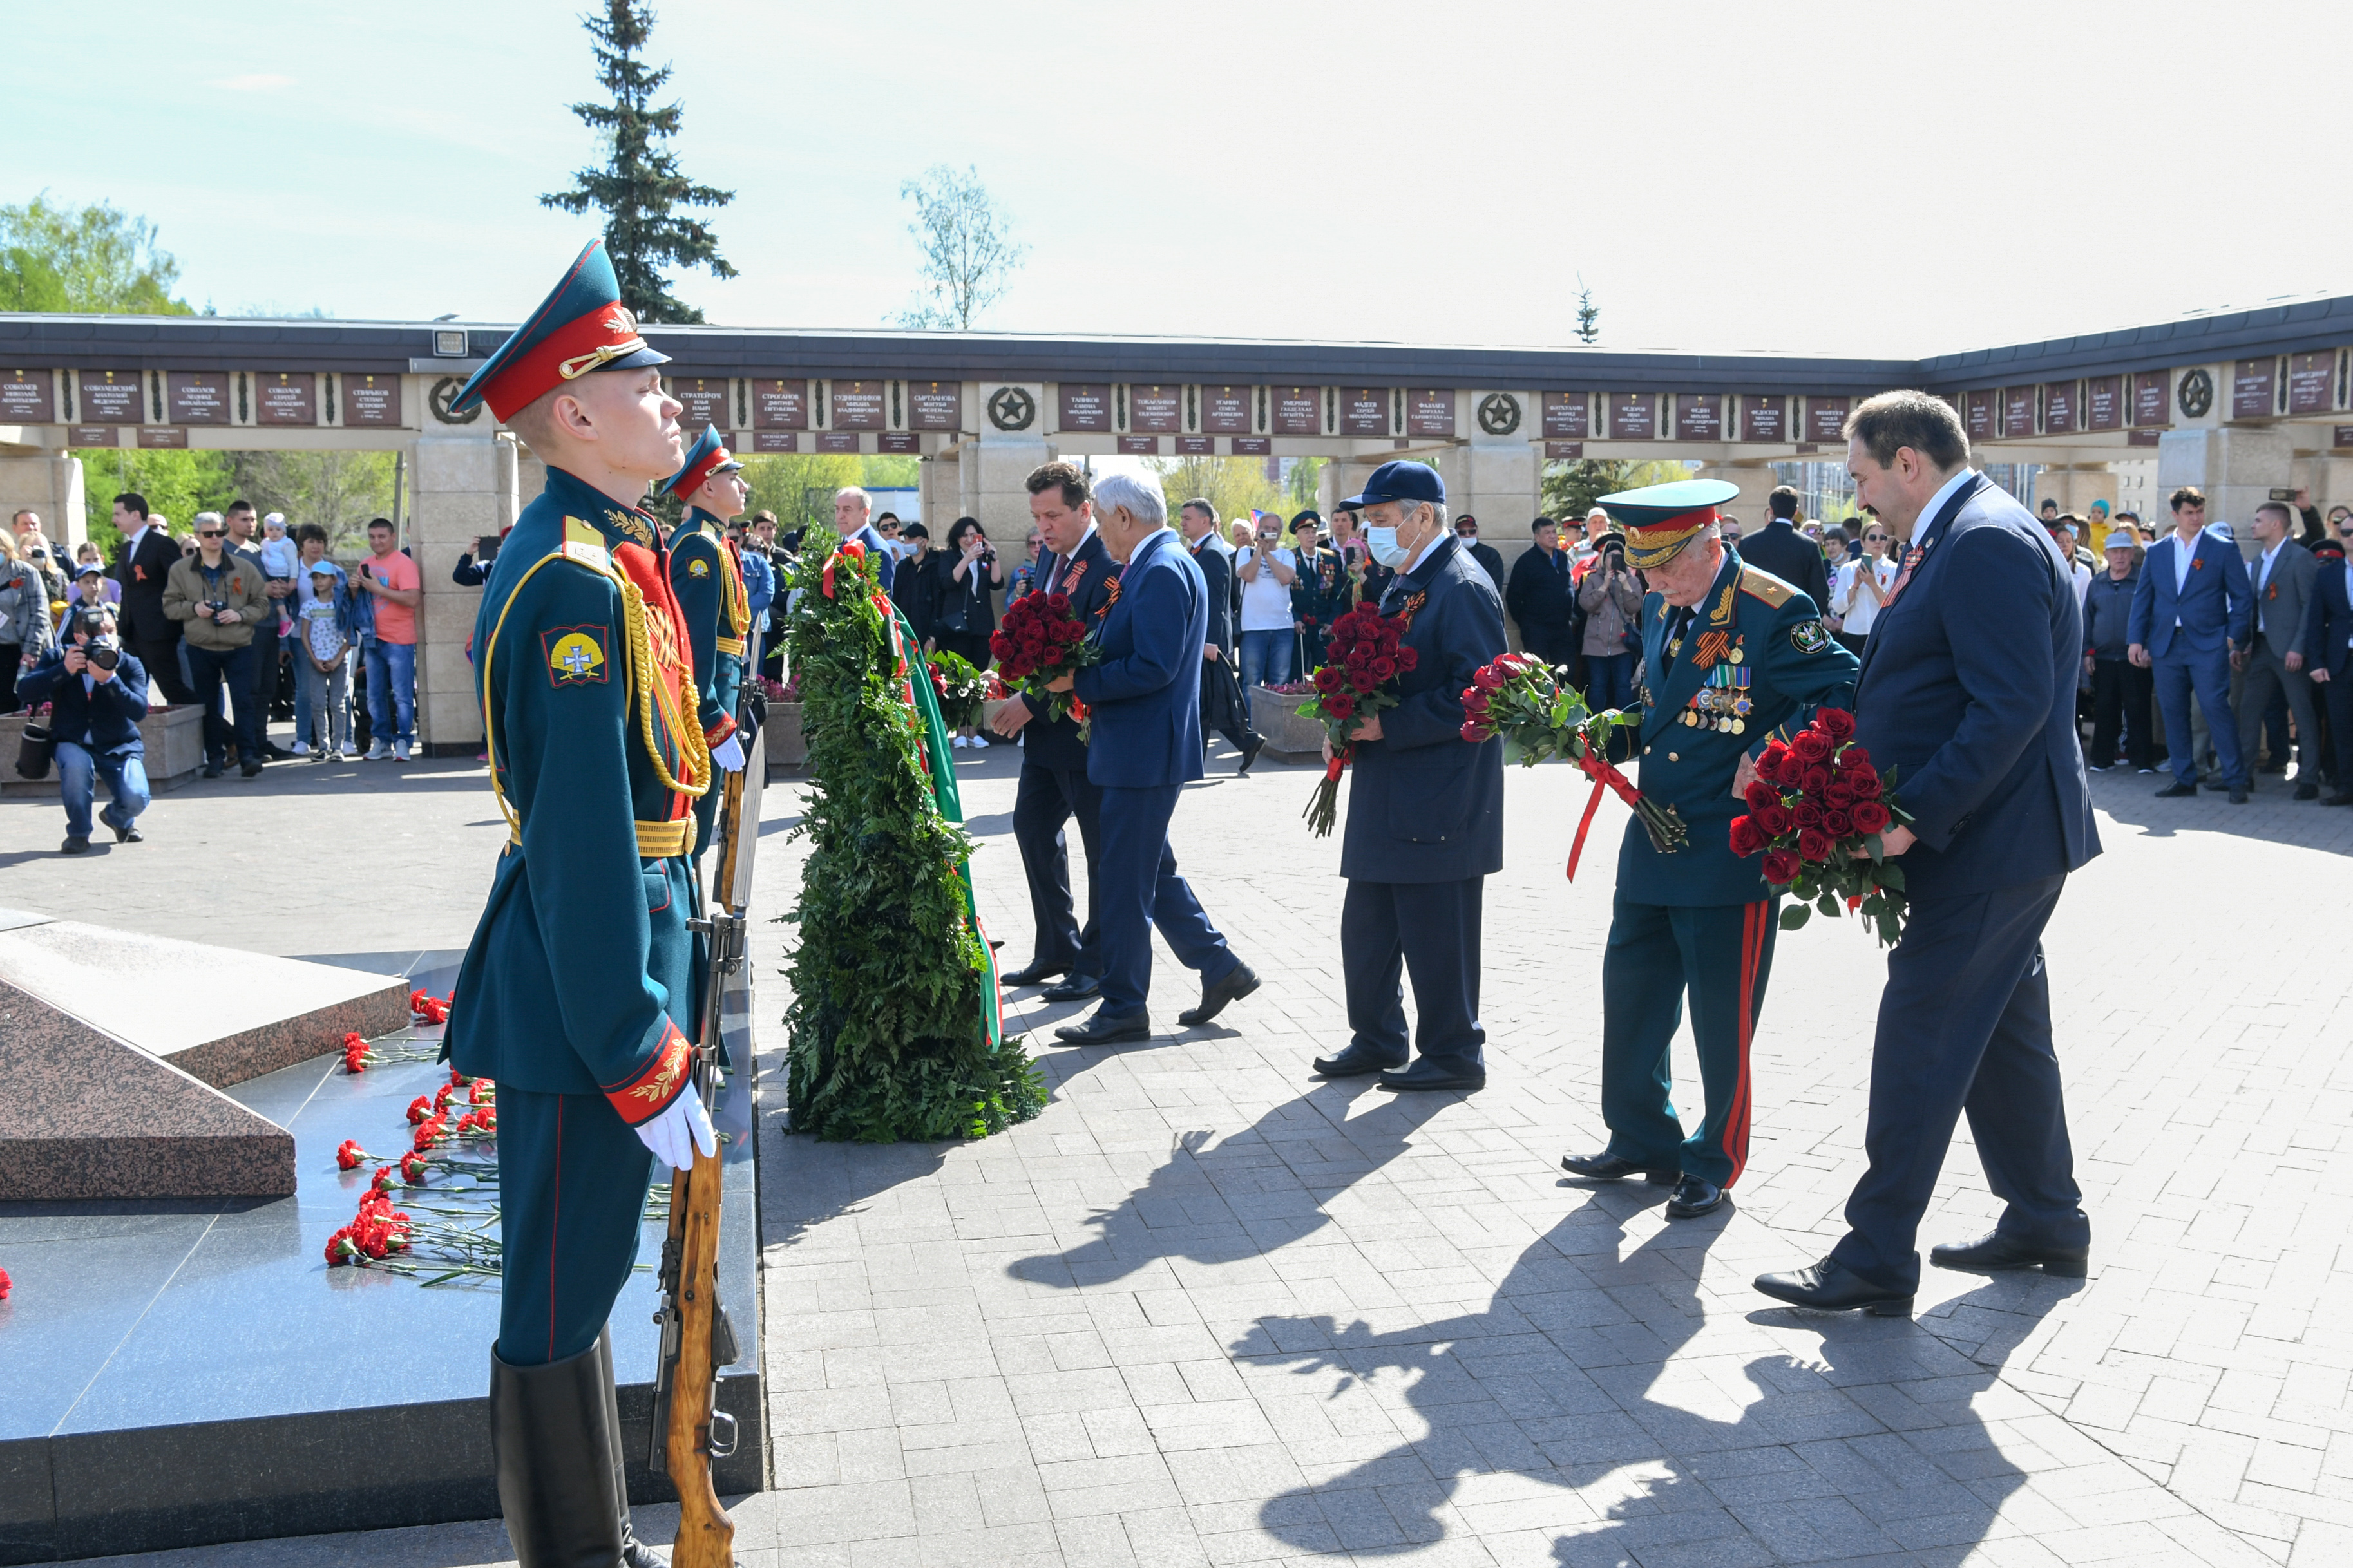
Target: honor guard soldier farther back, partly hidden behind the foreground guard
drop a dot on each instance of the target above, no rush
(707, 577)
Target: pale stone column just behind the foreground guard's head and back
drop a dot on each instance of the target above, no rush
(465, 488)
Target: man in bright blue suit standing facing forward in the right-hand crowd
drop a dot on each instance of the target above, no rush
(2192, 617)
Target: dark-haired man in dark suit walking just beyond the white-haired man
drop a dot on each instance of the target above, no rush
(1055, 782)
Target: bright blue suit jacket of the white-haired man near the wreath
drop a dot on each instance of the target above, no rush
(1147, 692)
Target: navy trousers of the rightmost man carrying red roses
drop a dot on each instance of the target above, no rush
(1966, 1026)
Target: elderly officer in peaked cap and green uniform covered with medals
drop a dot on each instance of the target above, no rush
(1731, 659)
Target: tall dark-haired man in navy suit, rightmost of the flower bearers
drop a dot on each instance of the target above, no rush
(1968, 695)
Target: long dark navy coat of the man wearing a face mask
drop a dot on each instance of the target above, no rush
(1422, 805)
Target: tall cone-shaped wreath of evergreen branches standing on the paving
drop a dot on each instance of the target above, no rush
(895, 1031)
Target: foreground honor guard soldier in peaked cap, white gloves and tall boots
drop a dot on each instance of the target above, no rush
(575, 993)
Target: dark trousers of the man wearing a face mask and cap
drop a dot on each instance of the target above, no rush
(1429, 930)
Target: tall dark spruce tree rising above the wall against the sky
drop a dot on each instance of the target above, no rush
(641, 189)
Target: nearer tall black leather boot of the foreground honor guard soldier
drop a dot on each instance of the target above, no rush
(559, 1461)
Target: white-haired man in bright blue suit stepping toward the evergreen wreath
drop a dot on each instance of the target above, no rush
(1145, 746)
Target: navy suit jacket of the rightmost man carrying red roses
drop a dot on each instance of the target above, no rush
(1968, 690)
